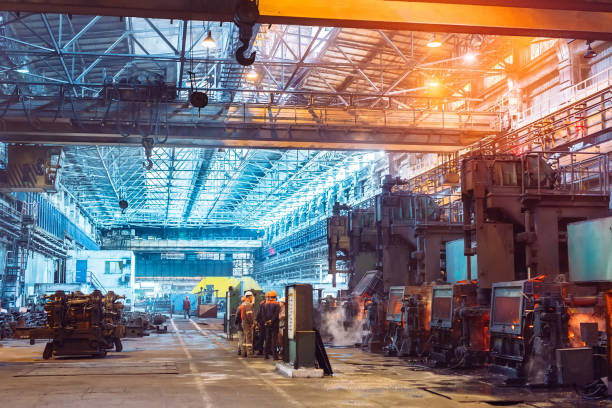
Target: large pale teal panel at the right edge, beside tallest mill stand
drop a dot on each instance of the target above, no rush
(590, 250)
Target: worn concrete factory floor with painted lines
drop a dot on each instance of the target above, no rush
(195, 366)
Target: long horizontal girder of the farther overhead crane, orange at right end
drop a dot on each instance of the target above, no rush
(258, 136)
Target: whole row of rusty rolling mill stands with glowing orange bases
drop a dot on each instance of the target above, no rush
(495, 276)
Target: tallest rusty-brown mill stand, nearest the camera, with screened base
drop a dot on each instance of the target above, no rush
(516, 213)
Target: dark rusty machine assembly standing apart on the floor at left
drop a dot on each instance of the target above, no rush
(79, 324)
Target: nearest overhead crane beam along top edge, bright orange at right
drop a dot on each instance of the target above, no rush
(562, 19)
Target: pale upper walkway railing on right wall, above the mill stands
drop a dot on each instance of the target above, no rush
(581, 90)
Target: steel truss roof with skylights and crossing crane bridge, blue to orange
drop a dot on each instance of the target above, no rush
(315, 87)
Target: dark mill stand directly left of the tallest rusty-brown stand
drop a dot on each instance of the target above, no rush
(413, 230)
